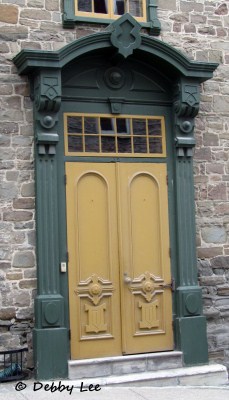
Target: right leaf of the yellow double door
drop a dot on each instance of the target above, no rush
(144, 258)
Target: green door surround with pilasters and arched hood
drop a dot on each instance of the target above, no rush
(46, 70)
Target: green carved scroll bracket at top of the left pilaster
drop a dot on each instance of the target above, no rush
(47, 99)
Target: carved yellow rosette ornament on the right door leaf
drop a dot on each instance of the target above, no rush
(147, 285)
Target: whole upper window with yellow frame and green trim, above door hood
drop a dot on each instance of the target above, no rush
(107, 11)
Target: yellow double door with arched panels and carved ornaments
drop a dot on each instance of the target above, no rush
(119, 265)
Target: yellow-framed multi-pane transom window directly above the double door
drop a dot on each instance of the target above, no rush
(109, 135)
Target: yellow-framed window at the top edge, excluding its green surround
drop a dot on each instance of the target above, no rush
(111, 8)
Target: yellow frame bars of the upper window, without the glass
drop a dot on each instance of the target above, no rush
(110, 14)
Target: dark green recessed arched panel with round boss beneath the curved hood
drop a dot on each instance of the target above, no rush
(93, 77)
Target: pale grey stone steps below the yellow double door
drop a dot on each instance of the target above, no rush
(151, 369)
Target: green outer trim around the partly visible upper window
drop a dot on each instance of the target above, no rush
(70, 18)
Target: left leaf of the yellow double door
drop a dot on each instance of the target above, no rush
(93, 260)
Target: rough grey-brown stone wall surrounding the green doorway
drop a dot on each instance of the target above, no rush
(197, 28)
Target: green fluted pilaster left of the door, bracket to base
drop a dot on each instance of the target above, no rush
(50, 333)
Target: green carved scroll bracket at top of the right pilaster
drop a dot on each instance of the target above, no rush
(186, 107)
